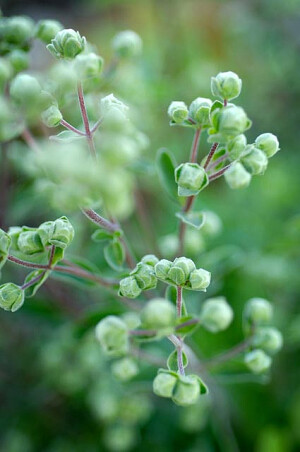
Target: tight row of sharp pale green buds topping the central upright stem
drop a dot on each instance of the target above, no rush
(182, 272)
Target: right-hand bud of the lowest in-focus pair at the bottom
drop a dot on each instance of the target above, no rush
(187, 391)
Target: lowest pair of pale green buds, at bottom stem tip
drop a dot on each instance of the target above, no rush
(183, 390)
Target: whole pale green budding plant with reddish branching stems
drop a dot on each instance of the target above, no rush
(89, 166)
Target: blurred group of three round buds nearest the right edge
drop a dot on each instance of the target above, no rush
(266, 340)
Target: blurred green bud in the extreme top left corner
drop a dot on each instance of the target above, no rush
(18, 29)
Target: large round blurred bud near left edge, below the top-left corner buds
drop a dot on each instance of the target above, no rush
(25, 89)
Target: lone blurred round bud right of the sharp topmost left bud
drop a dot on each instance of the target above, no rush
(127, 44)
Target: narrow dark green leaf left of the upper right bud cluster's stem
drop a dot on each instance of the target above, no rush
(166, 165)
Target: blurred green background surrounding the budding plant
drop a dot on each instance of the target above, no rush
(257, 253)
